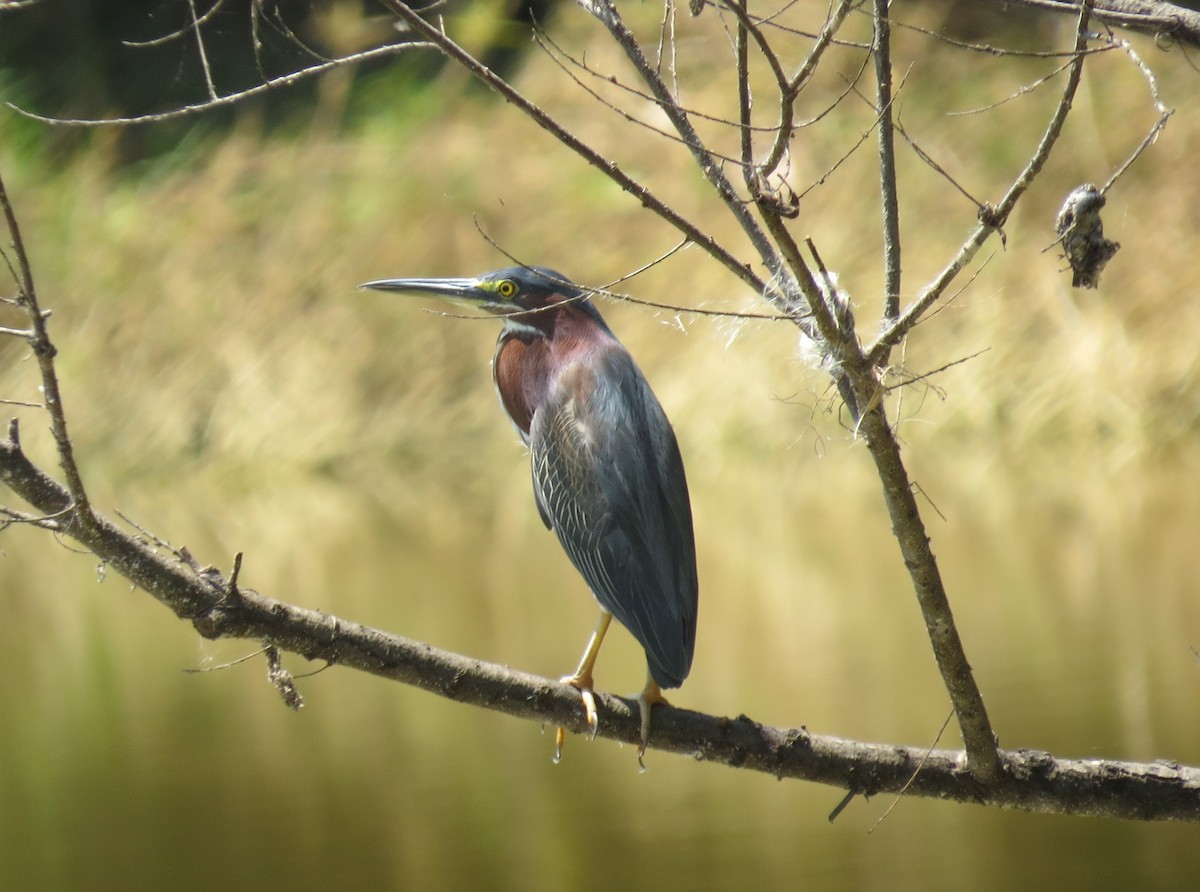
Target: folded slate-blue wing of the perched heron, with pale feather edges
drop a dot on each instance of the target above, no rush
(609, 480)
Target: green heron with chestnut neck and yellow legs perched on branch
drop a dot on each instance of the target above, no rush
(608, 476)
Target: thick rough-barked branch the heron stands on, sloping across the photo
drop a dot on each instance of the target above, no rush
(218, 608)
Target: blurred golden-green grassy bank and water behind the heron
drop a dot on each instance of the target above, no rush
(230, 391)
